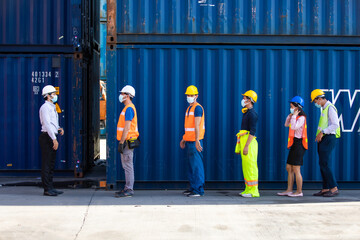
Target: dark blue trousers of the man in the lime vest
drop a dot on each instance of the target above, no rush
(325, 147)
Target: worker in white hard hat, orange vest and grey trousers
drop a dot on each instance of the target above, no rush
(127, 135)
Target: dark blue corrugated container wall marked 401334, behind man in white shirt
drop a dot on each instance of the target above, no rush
(23, 77)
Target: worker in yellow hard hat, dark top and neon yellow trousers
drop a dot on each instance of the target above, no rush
(247, 145)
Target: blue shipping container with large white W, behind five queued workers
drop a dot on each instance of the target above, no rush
(161, 73)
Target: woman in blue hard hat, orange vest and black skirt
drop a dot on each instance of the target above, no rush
(298, 144)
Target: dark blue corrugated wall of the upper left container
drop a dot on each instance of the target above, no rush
(45, 22)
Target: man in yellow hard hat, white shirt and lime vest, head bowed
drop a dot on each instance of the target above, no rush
(327, 132)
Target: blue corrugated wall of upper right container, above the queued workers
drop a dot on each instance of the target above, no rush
(268, 17)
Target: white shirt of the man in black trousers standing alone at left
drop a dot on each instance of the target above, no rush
(49, 119)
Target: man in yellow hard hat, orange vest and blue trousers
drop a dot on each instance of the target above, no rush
(192, 140)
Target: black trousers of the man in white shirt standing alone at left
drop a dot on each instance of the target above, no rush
(48, 157)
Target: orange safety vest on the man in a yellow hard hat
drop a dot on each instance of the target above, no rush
(189, 135)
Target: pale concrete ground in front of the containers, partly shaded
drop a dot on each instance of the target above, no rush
(96, 214)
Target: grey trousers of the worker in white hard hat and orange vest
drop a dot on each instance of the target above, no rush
(128, 165)
